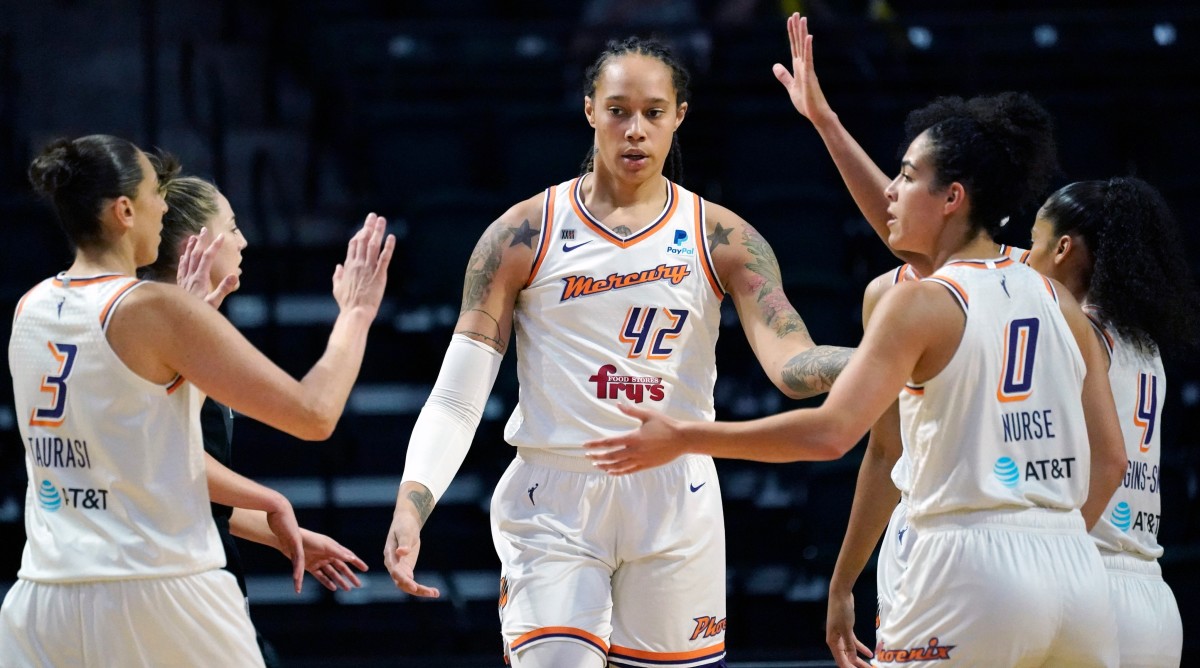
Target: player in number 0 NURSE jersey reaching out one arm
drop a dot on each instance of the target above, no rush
(1007, 414)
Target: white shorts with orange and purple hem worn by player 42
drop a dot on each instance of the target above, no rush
(632, 567)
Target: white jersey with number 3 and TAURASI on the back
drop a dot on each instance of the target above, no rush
(117, 486)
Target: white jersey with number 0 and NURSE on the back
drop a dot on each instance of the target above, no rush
(1003, 425)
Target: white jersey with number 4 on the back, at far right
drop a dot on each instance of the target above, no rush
(1139, 389)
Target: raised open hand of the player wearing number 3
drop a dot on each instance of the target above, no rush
(359, 282)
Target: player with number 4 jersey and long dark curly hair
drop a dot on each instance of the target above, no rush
(1115, 245)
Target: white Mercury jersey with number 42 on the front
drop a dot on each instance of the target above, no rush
(607, 320)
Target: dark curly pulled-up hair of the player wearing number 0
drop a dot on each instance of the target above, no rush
(1001, 148)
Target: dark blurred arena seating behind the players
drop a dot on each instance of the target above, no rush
(439, 115)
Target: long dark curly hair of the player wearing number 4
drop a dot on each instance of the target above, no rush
(1137, 251)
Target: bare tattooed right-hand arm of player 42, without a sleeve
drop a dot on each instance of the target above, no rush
(749, 272)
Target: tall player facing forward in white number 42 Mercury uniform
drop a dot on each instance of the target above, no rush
(614, 284)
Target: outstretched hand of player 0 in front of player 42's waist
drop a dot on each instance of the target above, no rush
(656, 443)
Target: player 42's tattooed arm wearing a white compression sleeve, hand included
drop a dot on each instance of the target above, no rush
(496, 274)
